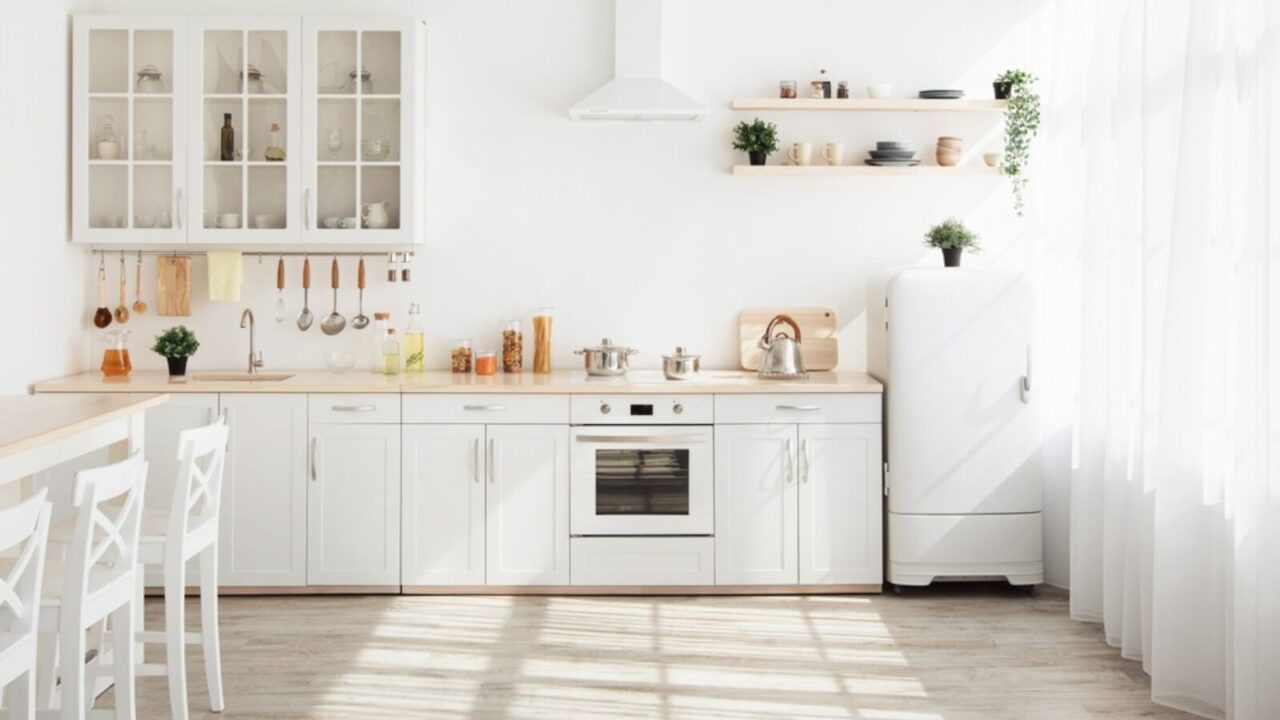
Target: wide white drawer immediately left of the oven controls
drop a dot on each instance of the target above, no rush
(487, 408)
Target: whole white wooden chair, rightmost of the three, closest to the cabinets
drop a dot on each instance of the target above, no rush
(171, 539)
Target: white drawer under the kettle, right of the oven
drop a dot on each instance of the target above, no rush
(799, 408)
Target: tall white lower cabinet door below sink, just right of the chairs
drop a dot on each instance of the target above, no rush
(263, 535)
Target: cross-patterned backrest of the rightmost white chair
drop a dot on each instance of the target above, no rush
(199, 491)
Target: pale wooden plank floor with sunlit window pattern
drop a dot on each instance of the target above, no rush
(976, 653)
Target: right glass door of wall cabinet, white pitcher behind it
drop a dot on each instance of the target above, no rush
(360, 79)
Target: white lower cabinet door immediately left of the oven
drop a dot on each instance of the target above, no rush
(527, 505)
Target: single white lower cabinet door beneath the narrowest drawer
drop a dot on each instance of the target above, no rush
(354, 505)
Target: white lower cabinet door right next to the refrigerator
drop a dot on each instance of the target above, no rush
(842, 503)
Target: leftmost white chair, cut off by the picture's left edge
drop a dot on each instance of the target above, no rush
(26, 530)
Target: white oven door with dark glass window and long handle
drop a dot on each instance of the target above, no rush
(642, 481)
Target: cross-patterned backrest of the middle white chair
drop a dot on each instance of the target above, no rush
(107, 534)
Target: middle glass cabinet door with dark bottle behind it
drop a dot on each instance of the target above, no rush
(245, 145)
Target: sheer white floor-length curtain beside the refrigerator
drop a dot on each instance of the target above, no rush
(1159, 203)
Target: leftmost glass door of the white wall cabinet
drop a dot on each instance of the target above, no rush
(129, 89)
